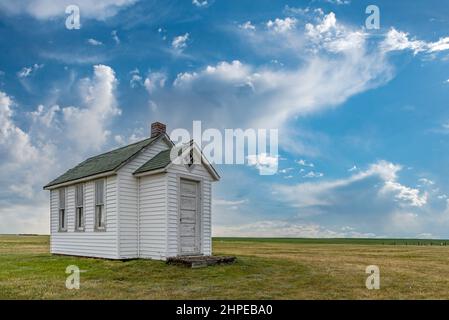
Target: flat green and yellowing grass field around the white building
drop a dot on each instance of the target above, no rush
(265, 269)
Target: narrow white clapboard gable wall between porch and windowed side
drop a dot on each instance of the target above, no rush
(128, 199)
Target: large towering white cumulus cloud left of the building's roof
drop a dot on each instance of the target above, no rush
(54, 133)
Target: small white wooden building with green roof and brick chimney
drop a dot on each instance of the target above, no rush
(133, 202)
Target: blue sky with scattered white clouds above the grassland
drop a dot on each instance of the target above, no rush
(362, 114)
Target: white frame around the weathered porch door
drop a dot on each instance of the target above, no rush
(199, 214)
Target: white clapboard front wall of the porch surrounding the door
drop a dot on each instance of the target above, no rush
(173, 175)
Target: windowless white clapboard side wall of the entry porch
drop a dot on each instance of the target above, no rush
(153, 216)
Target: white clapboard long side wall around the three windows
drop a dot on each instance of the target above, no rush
(89, 242)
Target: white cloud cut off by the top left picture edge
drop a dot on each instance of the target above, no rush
(44, 9)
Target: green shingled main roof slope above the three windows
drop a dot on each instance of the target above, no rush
(102, 163)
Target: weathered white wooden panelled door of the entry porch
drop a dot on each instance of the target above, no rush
(189, 217)
